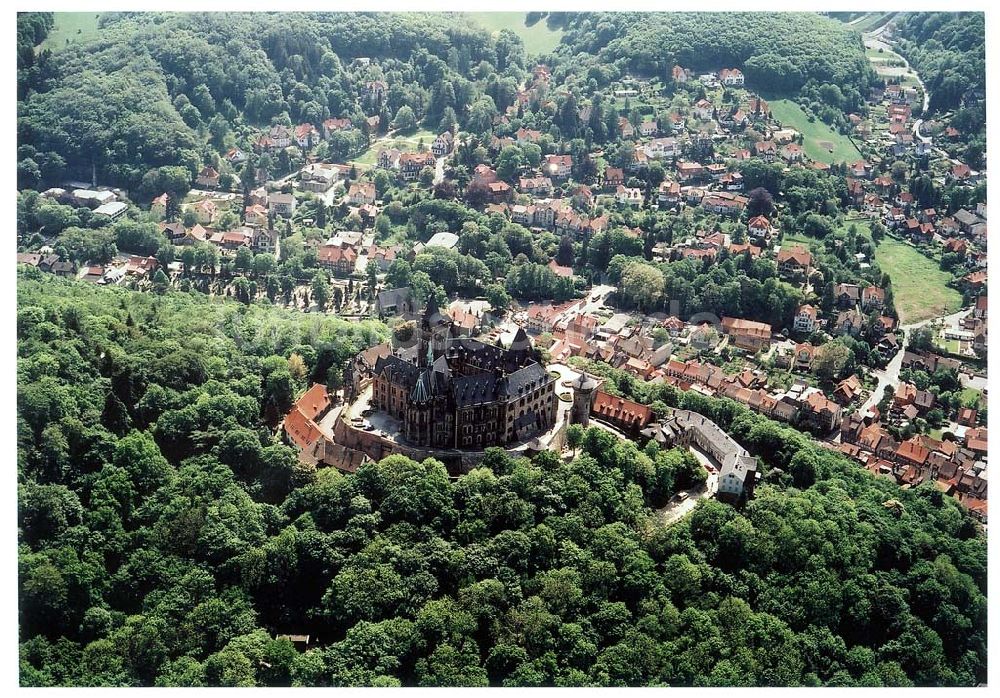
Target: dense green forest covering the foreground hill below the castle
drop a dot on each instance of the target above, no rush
(166, 537)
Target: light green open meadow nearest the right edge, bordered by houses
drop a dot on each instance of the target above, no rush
(919, 286)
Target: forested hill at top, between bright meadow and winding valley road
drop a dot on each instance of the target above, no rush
(778, 51)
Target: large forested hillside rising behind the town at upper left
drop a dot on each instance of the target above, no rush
(153, 88)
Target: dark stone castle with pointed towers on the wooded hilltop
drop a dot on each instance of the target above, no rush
(455, 392)
